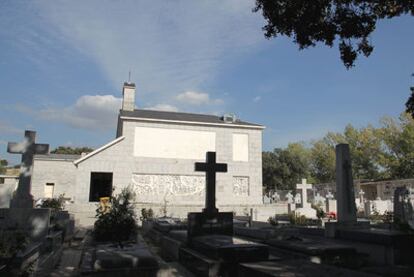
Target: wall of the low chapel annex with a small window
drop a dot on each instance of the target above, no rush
(60, 172)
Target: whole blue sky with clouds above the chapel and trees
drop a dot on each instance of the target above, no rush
(63, 64)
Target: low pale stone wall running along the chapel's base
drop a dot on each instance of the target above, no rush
(85, 213)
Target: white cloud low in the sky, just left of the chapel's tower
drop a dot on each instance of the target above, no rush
(92, 112)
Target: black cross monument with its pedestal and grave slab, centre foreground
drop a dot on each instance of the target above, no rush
(212, 247)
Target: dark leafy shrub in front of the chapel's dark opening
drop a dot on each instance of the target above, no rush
(119, 223)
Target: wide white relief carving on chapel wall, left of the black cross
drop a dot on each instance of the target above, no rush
(156, 188)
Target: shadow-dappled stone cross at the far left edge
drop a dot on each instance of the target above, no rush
(28, 148)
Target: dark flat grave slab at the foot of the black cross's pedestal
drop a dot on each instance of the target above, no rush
(230, 249)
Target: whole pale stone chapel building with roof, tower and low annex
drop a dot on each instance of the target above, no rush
(154, 153)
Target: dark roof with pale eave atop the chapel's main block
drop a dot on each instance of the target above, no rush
(204, 119)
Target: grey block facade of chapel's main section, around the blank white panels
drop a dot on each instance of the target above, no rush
(119, 159)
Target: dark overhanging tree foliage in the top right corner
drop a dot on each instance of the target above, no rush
(327, 21)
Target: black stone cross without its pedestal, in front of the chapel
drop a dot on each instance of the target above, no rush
(210, 167)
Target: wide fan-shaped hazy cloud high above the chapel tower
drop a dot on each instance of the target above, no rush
(170, 46)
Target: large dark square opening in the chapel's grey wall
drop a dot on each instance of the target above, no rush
(100, 186)
